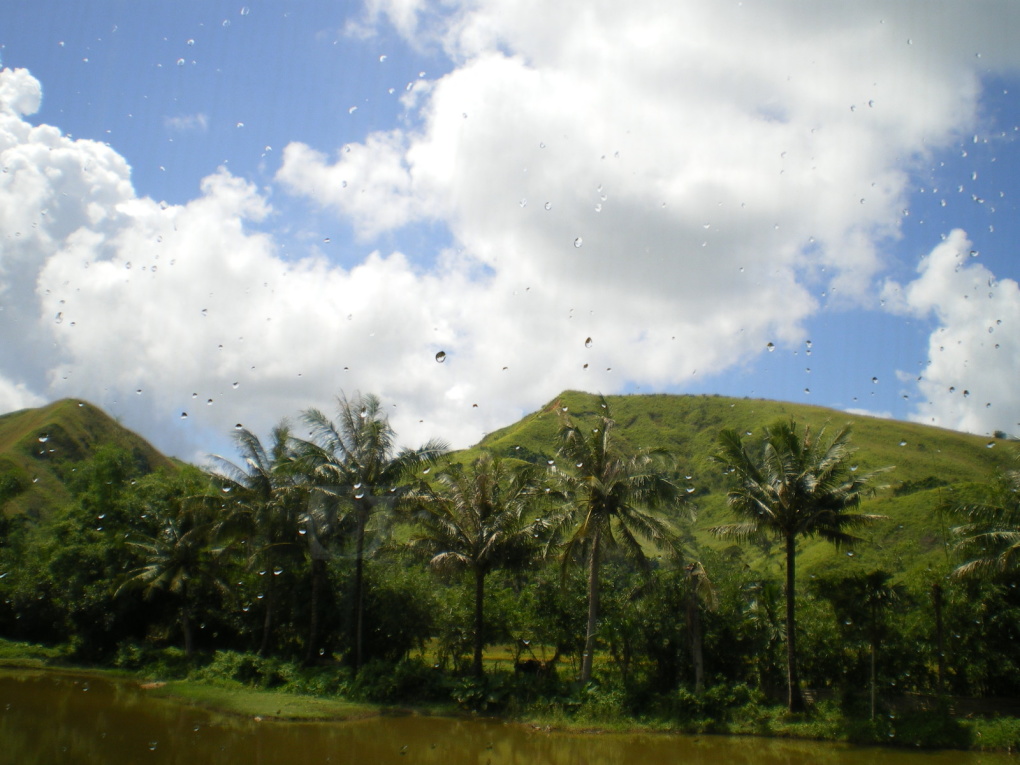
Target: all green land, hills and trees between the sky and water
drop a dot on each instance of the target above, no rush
(344, 567)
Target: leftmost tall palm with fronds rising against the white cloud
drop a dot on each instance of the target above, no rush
(266, 498)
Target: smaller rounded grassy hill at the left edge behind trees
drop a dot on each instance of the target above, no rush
(38, 447)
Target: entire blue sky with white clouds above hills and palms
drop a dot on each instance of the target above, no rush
(217, 215)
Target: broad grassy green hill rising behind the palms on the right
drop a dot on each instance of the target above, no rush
(931, 465)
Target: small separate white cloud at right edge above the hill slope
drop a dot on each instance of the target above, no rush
(970, 383)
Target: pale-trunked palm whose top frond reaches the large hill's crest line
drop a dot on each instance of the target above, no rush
(610, 494)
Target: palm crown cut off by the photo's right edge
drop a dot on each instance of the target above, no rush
(992, 534)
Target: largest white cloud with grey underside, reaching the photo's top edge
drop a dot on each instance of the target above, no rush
(682, 183)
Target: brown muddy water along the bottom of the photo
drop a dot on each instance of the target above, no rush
(52, 719)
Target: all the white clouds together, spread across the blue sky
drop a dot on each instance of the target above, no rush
(635, 193)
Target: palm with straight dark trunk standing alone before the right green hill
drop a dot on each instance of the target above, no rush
(792, 486)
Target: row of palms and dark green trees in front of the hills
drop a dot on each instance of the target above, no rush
(342, 550)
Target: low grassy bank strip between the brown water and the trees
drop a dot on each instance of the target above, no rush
(247, 687)
